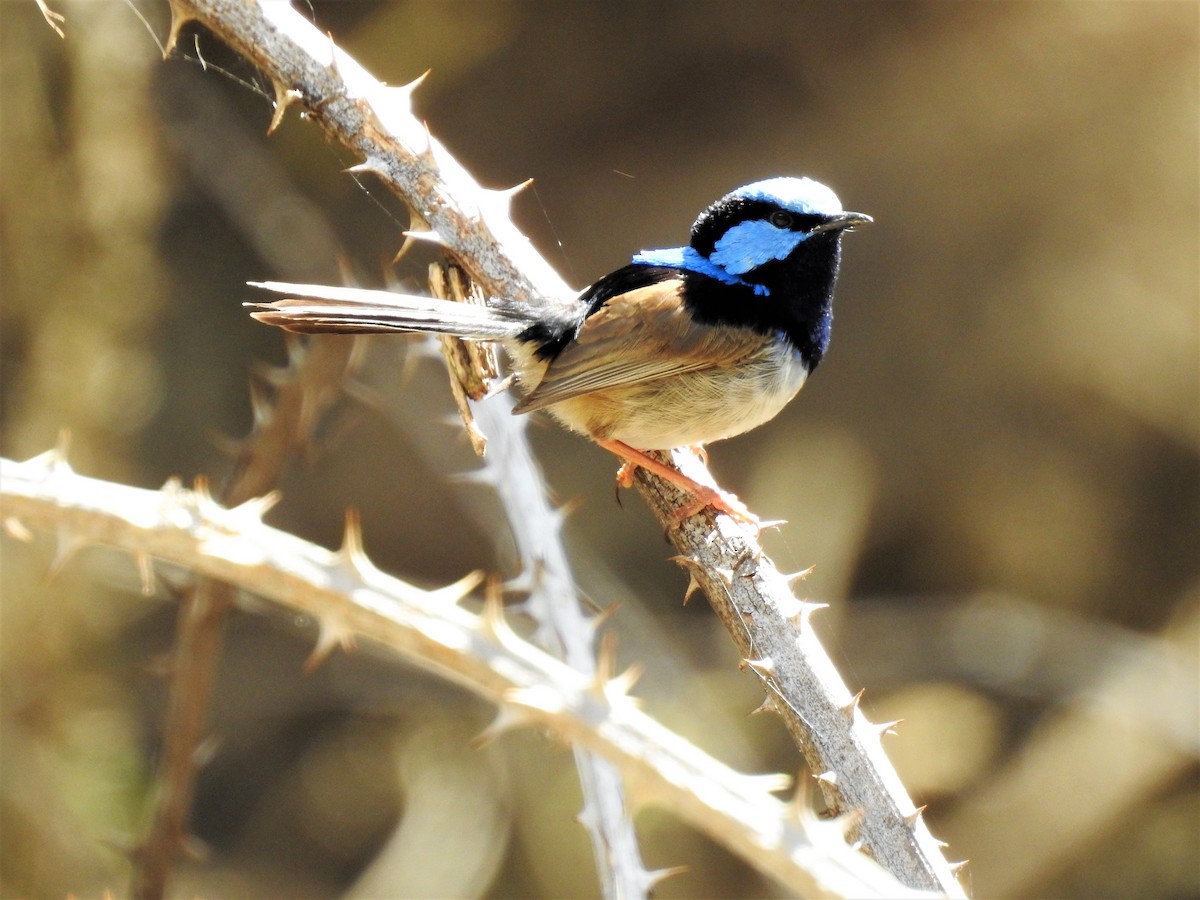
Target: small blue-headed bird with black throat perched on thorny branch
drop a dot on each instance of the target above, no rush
(681, 347)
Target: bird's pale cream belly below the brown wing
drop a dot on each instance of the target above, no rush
(689, 409)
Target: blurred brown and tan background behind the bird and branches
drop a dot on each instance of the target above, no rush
(995, 471)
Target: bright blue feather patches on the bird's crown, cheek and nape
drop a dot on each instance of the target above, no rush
(751, 242)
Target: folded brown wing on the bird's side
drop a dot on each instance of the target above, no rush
(637, 338)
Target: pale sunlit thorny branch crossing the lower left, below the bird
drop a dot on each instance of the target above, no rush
(349, 597)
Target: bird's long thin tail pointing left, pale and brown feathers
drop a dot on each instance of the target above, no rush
(311, 309)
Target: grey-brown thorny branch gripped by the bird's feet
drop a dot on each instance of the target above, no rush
(755, 603)
